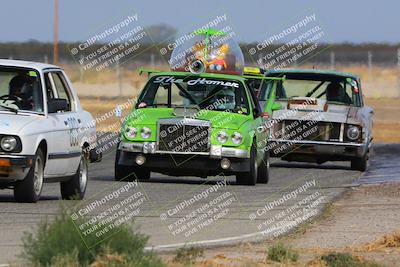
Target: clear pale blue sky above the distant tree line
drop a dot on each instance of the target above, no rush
(342, 21)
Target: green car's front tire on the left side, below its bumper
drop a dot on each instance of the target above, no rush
(128, 173)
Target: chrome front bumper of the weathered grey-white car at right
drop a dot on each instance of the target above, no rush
(331, 150)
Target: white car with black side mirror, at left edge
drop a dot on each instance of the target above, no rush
(45, 135)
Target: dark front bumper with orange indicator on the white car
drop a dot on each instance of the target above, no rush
(14, 168)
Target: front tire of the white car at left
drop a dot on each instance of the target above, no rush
(29, 189)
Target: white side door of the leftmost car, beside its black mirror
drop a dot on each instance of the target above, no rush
(65, 136)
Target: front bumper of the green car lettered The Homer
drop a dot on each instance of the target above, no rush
(191, 164)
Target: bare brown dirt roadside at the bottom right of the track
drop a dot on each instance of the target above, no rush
(364, 223)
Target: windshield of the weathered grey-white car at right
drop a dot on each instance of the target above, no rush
(333, 90)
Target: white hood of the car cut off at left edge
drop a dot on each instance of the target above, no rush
(13, 123)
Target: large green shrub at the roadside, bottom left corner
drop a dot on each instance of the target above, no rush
(59, 240)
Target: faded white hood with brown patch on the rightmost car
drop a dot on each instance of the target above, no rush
(300, 108)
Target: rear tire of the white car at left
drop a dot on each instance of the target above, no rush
(75, 188)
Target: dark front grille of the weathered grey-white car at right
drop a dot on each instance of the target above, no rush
(307, 130)
